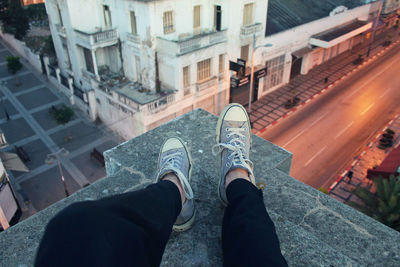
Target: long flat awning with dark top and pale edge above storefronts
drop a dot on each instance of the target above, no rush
(339, 34)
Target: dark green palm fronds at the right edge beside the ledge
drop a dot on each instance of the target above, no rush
(384, 205)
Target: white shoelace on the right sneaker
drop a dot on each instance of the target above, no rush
(236, 147)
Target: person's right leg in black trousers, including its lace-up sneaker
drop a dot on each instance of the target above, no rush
(248, 234)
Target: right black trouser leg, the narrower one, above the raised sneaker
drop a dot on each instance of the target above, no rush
(248, 233)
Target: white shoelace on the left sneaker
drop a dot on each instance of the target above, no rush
(172, 162)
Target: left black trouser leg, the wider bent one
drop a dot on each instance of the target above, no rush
(131, 229)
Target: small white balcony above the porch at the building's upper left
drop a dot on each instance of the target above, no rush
(97, 39)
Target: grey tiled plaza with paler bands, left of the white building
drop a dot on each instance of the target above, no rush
(32, 127)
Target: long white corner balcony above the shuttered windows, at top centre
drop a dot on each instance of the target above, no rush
(190, 44)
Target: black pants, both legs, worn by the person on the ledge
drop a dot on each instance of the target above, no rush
(132, 229)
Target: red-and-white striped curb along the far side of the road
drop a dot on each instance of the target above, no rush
(329, 87)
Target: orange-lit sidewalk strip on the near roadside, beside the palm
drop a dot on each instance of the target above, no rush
(342, 189)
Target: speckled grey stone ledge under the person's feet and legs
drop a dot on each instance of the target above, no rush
(314, 229)
